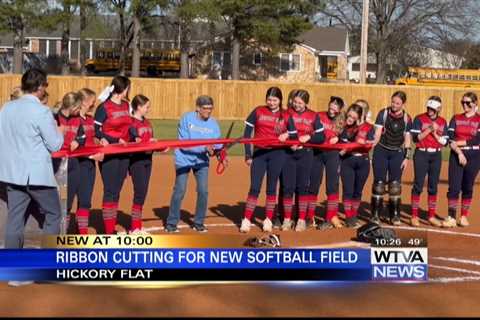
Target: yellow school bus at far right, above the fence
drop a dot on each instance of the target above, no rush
(464, 78)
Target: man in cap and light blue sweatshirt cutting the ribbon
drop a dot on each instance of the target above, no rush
(197, 124)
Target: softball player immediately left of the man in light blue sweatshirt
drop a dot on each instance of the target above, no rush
(140, 163)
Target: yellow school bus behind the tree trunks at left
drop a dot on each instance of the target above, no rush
(153, 61)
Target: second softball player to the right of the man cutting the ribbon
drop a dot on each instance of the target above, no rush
(306, 127)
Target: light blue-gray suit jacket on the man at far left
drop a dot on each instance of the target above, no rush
(28, 135)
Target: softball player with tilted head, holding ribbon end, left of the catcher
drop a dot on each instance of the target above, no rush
(355, 166)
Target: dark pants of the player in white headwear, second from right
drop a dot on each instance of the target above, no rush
(426, 163)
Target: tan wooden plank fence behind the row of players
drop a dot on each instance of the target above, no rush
(235, 99)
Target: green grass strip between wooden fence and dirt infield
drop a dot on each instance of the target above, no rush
(167, 129)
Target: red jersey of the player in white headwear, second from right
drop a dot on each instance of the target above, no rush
(421, 123)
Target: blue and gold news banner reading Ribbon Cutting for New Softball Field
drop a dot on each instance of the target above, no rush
(201, 258)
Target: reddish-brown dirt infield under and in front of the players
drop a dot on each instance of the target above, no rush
(454, 265)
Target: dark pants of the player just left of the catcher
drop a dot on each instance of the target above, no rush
(354, 172)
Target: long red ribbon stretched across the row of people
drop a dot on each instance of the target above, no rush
(160, 145)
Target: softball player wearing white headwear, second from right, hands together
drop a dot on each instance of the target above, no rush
(429, 133)
